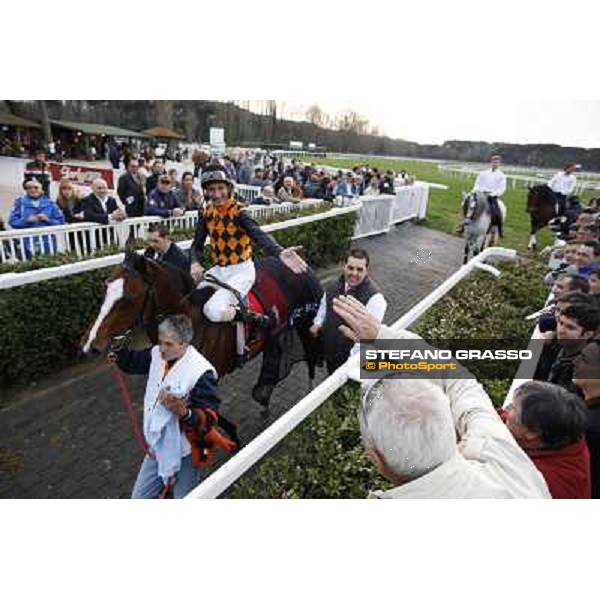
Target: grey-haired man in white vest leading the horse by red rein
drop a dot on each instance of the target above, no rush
(181, 391)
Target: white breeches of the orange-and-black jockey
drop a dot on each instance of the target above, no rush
(221, 306)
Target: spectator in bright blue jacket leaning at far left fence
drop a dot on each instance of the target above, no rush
(33, 210)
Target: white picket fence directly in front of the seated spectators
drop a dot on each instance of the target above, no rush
(84, 239)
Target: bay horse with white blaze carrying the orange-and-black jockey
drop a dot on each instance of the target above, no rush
(141, 291)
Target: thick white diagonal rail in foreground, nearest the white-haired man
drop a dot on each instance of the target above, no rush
(249, 455)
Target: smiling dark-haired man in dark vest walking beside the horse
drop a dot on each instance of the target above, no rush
(354, 281)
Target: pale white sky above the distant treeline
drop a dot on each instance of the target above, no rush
(434, 120)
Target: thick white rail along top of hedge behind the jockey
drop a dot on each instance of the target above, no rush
(10, 280)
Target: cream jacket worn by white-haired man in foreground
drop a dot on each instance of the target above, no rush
(488, 462)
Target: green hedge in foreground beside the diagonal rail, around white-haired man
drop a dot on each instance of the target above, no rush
(324, 457)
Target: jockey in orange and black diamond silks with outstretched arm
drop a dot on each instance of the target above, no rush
(231, 230)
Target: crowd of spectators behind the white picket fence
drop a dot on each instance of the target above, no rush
(148, 188)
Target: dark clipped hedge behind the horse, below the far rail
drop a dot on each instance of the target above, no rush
(42, 323)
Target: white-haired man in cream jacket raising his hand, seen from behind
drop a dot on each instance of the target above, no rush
(436, 438)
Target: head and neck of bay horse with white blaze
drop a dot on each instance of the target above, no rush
(135, 293)
